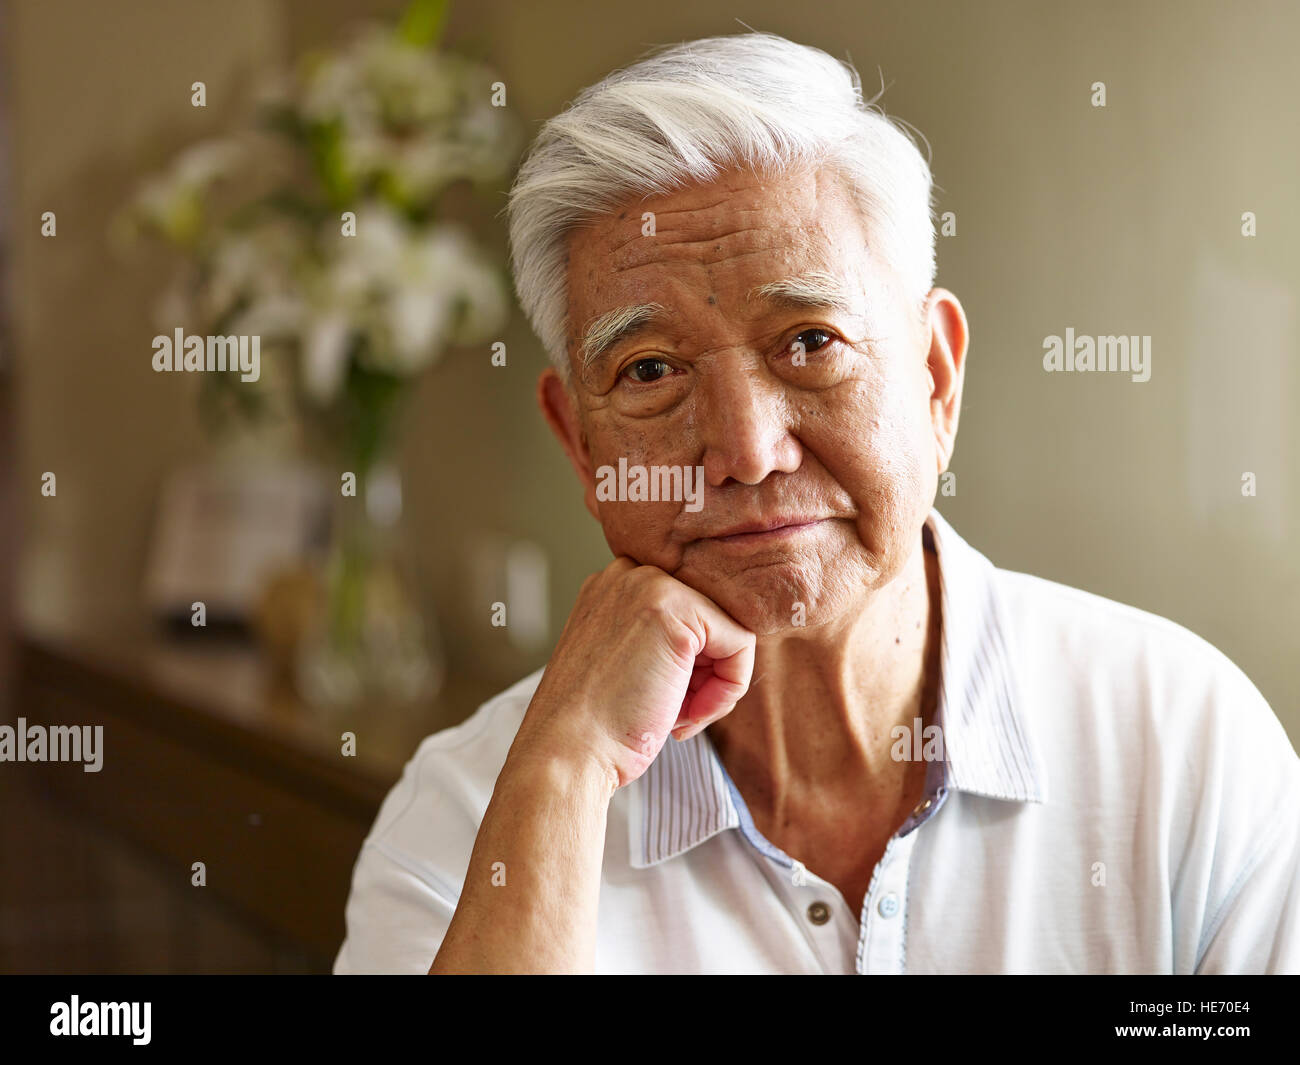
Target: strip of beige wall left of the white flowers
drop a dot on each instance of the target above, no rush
(101, 97)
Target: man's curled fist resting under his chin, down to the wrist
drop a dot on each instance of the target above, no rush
(643, 656)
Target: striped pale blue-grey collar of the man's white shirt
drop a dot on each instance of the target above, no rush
(990, 748)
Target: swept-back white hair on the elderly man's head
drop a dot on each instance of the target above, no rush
(687, 115)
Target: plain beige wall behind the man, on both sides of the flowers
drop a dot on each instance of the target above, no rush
(1121, 220)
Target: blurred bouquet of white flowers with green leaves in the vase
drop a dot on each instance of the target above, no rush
(318, 230)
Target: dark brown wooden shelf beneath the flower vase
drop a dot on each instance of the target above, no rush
(206, 760)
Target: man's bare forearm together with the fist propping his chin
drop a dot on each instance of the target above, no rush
(643, 656)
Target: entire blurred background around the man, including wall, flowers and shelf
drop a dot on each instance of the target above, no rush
(265, 648)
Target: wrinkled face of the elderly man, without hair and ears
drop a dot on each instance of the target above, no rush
(818, 418)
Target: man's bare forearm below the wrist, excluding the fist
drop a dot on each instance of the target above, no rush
(531, 893)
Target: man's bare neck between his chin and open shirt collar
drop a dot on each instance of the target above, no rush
(824, 702)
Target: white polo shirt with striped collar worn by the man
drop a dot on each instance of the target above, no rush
(1115, 796)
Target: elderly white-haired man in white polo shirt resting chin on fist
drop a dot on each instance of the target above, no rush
(887, 755)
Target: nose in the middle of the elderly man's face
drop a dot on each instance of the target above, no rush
(744, 423)
